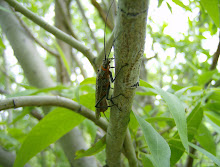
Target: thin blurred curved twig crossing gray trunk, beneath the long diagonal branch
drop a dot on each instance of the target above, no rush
(52, 52)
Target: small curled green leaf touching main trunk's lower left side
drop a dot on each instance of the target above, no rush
(99, 146)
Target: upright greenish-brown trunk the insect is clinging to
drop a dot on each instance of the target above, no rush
(130, 32)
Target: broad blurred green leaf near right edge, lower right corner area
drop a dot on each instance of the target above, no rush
(204, 135)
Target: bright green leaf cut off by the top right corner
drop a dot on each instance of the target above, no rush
(212, 7)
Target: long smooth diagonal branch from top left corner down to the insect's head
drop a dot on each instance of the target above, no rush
(55, 31)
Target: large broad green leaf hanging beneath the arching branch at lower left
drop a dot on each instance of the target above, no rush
(53, 126)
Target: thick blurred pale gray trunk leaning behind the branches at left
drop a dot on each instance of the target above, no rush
(36, 73)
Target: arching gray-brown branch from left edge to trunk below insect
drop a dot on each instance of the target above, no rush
(25, 101)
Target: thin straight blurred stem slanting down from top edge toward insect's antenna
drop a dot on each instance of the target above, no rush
(87, 23)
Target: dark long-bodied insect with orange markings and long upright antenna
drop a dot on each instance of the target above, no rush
(104, 76)
